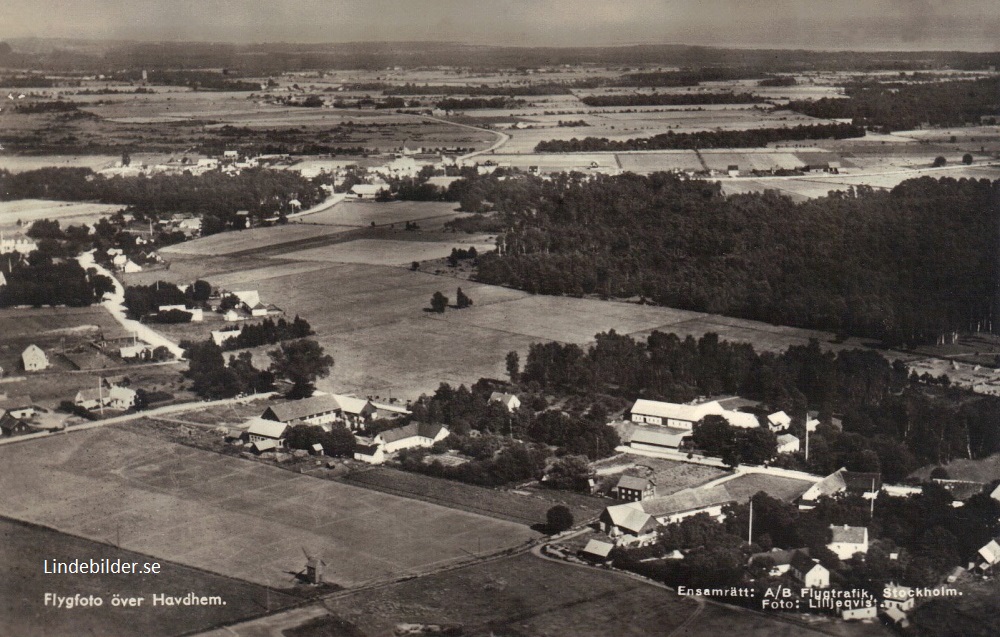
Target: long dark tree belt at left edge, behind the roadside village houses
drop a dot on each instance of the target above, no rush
(214, 195)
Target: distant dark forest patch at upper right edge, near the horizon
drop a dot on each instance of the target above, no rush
(891, 106)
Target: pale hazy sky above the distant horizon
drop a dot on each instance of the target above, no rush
(972, 25)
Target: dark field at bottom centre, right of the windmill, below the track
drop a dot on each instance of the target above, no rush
(526, 595)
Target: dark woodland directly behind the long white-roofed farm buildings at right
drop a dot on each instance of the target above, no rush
(890, 421)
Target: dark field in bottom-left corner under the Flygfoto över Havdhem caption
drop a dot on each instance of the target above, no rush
(23, 587)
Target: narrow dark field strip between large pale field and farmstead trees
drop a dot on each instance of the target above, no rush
(525, 509)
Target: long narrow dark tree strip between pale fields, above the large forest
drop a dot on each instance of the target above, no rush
(704, 139)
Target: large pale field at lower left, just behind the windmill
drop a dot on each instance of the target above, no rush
(242, 519)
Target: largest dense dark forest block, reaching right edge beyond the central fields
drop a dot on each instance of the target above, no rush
(904, 266)
